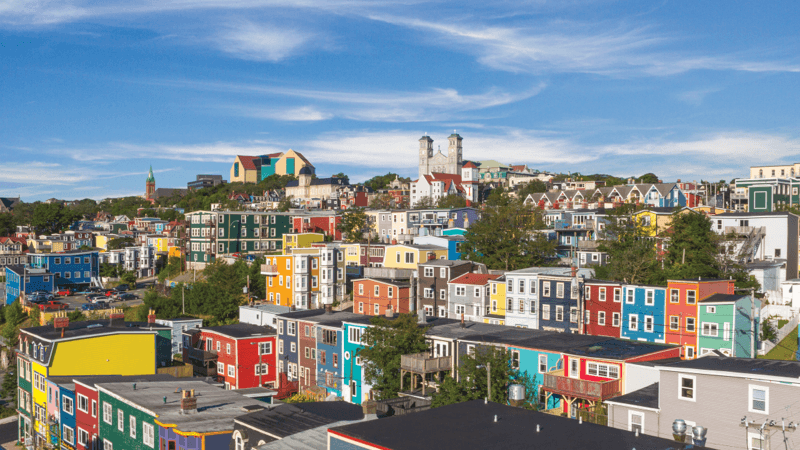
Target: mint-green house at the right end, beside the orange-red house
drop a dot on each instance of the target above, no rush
(725, 325)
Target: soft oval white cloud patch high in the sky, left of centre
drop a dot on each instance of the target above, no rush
(260, 42)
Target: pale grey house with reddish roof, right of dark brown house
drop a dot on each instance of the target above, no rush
(469, 296)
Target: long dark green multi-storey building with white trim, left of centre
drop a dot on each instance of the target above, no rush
(213, 233)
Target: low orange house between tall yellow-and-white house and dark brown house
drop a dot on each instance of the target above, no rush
(373, 296)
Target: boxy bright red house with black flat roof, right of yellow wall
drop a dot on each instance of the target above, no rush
(245, 354)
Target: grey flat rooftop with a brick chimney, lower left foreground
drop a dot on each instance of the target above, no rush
(217, 408)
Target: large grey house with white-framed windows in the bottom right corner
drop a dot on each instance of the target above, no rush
(737, 400)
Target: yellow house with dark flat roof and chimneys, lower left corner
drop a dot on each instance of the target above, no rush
(84, 348)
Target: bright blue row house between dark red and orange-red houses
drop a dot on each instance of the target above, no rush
(643, 313)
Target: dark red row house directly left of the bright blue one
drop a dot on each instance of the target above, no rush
(603, 308)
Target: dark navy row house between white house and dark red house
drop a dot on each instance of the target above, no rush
(558, 303)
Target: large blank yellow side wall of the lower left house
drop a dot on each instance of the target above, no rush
(119, 354)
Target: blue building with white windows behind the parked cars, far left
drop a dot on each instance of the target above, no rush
(69, 268)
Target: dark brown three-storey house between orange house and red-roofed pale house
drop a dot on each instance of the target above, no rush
(433, 279)
